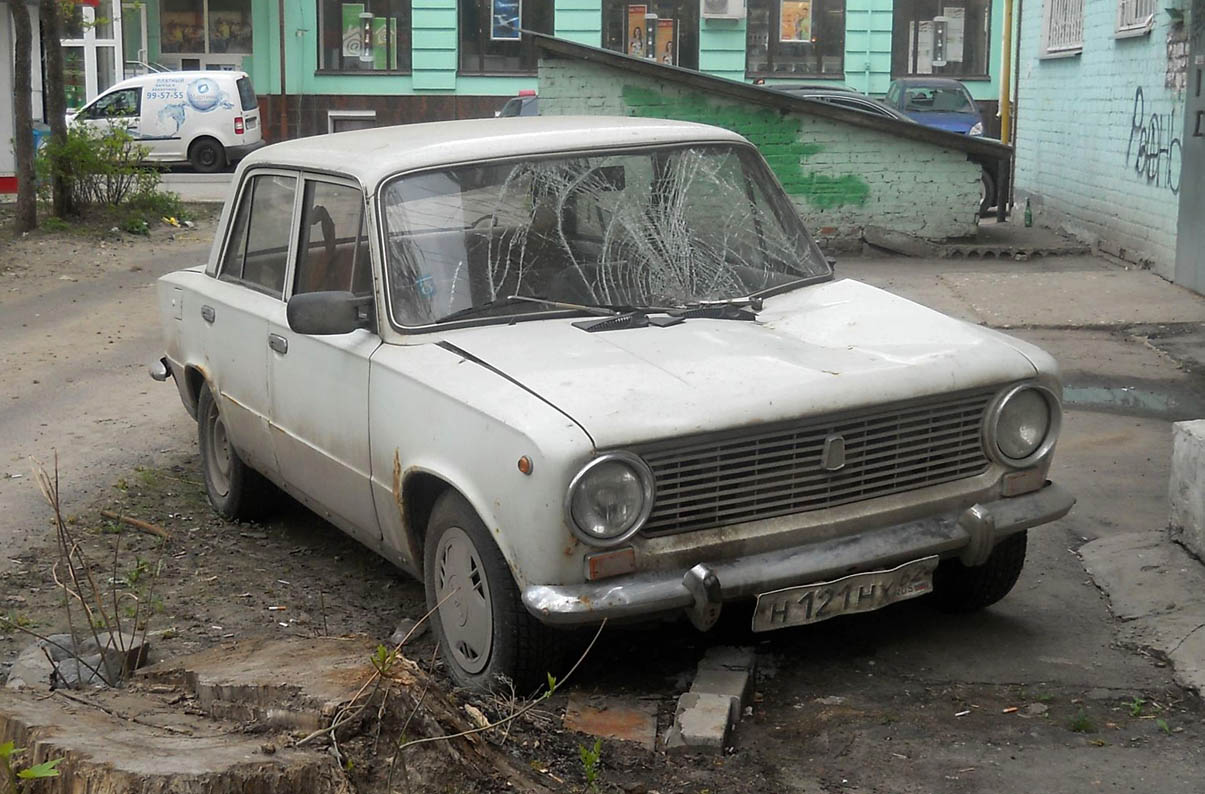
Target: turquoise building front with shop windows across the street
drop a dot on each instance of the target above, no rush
(374, 62)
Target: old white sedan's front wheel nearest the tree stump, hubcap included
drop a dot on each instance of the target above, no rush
(485, 632)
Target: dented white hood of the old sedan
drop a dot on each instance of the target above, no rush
(815, 350)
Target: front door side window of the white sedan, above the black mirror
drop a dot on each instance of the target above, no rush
(333, 250)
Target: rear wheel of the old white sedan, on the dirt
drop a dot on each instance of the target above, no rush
(237, 491)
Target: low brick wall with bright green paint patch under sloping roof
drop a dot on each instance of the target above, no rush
(840, 178)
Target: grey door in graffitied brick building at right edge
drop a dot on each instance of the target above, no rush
(1191, 228)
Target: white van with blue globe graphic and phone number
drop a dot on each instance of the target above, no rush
(207, 119)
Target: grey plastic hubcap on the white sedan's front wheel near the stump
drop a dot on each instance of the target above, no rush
(467, 615)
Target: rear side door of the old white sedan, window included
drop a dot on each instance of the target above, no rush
(250, 289)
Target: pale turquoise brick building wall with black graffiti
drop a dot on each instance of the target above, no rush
(1106, 92)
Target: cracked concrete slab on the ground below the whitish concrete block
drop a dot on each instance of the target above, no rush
(1157, 591)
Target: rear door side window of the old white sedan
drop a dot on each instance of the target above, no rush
(258, 249)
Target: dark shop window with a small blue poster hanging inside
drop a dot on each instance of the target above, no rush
(491, 43)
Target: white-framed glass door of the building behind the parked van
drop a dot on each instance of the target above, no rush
(92, 51)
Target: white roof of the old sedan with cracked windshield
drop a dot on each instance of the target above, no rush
(374, 155)
